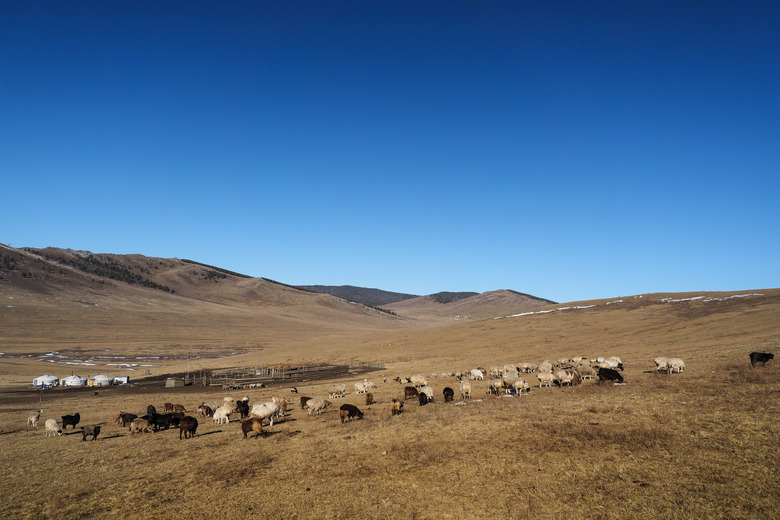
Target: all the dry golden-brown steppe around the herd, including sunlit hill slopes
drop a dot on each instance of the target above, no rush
(700, 444)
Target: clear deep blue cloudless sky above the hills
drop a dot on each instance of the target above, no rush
(571, 150)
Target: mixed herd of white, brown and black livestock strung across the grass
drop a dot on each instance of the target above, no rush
(506, 379)
